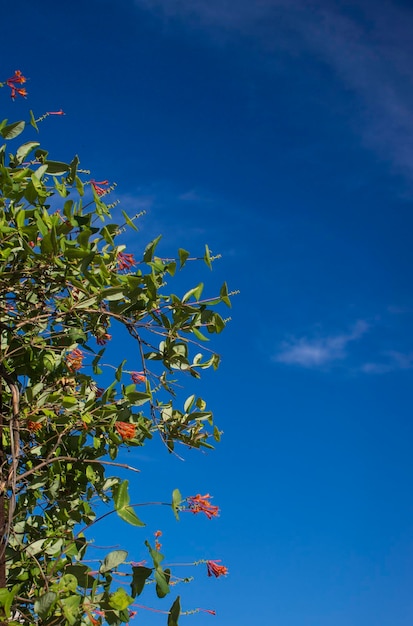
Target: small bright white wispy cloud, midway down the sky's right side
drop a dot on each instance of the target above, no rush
(320, 351)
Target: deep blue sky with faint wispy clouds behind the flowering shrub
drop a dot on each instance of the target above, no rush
(279, 132)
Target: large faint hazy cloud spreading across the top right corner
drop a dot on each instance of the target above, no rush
(369, 51)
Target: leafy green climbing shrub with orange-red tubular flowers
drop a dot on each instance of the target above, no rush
(66, 285)
